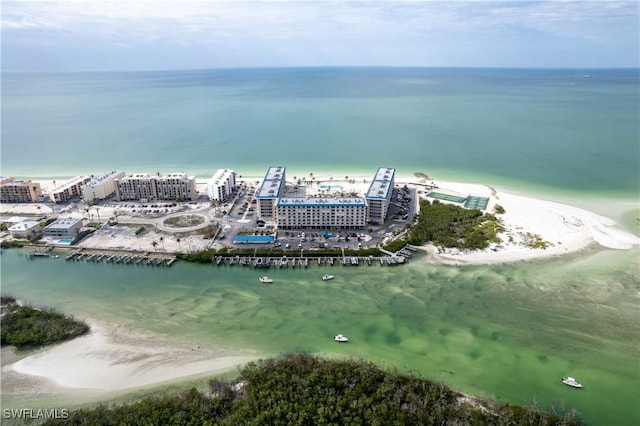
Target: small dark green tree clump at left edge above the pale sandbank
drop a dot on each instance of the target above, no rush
(24, 326)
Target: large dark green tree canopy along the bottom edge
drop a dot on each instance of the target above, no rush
(302, 389)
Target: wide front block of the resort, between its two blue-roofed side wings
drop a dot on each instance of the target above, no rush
(321, 213)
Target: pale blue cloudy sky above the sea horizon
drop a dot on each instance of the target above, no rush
(121, 35)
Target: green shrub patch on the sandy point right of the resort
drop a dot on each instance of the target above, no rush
(447, 225)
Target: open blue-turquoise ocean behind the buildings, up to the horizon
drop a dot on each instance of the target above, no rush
(572, 130)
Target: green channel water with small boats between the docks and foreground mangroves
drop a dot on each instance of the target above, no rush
(507, 332)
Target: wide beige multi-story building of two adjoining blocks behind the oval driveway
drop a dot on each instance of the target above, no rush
(143, 187)
